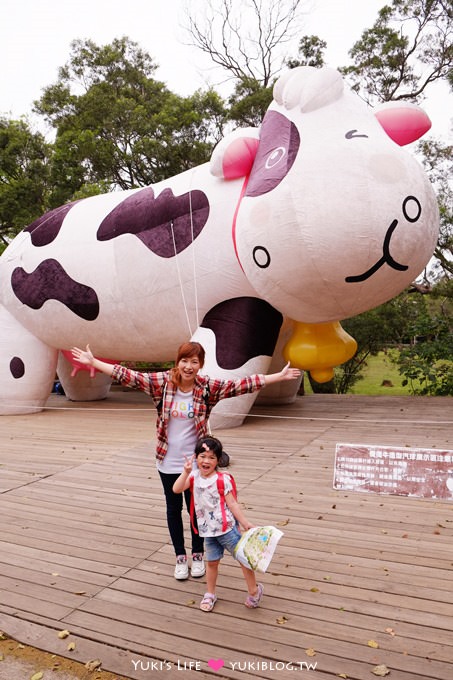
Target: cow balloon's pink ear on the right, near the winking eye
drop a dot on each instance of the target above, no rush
(403, 122)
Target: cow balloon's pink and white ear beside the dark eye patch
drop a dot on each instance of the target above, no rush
(234, 155)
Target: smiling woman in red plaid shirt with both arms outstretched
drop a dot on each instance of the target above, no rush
(184, 400)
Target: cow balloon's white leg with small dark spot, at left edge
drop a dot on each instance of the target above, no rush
(27, 368)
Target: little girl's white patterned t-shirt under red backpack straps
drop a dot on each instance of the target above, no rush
(207, 504)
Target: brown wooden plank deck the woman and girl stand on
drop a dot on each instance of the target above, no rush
(84, 546)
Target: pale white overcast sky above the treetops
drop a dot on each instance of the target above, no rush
(35, 37)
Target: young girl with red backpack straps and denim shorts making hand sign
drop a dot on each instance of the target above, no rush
(210, 520)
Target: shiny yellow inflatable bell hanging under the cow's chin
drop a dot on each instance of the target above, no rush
(318, 347)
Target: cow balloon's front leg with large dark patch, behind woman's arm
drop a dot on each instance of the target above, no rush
(239, 336)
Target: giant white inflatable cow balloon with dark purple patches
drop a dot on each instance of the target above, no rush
(314, 217)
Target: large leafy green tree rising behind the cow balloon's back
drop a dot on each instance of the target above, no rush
(116, 124)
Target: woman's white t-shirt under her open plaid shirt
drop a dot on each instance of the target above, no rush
(182, 435)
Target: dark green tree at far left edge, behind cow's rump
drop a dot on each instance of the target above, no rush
(24, 177)
